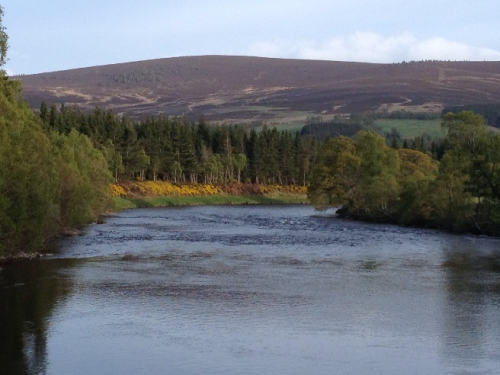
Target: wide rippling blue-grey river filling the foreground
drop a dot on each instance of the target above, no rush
(253, 290)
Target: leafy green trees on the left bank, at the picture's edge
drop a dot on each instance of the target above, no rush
(48, 181)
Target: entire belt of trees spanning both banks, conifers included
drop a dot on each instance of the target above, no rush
(57, 165)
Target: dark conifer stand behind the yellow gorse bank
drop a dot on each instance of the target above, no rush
(177, 150)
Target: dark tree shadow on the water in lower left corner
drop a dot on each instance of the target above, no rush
(29, 292)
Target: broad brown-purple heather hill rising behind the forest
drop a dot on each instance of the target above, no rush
(245, 89)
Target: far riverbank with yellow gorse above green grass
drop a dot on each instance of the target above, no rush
(138, 194)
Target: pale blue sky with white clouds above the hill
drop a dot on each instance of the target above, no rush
(53, 35)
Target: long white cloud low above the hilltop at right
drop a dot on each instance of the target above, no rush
(371, 47)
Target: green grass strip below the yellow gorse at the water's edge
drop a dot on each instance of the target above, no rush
(164, 201)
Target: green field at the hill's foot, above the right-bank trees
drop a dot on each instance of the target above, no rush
(412, 128)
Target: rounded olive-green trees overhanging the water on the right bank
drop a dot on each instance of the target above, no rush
(372, 181)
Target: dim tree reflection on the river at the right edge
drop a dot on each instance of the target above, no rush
(472, 289)
